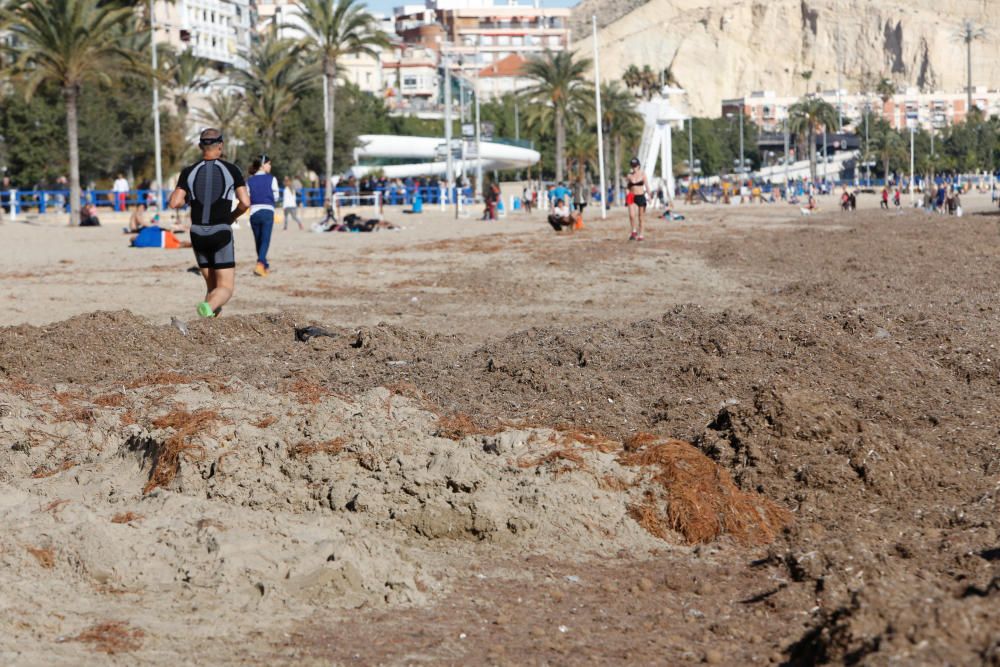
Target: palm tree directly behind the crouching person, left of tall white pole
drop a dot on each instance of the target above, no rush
(559, 87)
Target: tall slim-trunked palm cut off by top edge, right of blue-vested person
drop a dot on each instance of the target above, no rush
(334, 29)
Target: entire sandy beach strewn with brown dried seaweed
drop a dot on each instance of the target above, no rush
(755, 438)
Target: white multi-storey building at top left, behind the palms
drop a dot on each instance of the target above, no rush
(219, 30)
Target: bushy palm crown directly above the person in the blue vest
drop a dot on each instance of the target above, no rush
(273, 81)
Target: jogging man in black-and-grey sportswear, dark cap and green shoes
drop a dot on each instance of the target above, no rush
(210, 186)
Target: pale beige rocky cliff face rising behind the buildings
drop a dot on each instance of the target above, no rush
(727, 48)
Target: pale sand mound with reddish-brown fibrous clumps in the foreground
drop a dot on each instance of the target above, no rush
(179, 492)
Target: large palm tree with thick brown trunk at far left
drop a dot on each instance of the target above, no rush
(68, 42)
